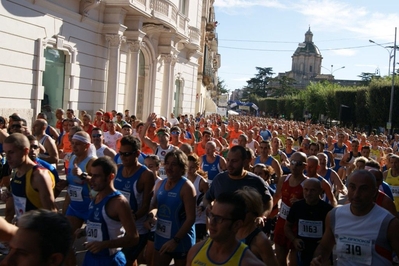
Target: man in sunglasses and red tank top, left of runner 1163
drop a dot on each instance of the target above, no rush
(289, 190)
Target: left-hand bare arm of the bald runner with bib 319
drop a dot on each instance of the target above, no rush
(326, 244)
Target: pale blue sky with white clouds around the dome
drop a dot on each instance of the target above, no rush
(266, 33)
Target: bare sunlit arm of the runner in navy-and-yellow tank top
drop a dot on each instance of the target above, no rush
(42, 182)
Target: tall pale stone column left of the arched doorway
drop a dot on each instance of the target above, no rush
(114, 41)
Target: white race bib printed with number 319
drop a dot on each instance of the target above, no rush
(354, 249)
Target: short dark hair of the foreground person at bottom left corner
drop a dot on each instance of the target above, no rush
(53, 230)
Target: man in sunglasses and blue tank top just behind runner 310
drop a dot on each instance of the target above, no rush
(136, 183)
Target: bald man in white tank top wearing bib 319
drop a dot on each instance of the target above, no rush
(363, 232)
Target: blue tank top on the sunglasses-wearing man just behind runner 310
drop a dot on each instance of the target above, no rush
(127, 186)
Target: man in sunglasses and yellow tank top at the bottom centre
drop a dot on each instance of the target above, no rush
(225, 217)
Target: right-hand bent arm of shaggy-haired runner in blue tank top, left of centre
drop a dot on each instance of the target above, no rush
(187, 195)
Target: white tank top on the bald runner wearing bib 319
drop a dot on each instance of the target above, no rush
(366, 247)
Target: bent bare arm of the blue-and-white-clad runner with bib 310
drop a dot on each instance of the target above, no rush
(118, 208)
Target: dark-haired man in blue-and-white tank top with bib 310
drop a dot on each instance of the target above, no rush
(110, 223)
